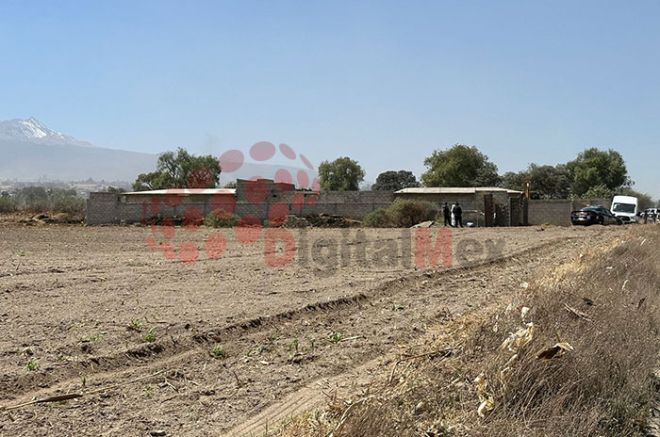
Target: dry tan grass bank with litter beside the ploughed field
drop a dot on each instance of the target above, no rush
(605, 305)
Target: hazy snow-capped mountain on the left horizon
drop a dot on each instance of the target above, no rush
(31, 151)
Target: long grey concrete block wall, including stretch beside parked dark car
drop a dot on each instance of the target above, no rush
(110, 208)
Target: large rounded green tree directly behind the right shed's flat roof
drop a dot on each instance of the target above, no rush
(459, 166)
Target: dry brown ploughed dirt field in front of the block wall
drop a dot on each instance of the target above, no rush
(153, 346)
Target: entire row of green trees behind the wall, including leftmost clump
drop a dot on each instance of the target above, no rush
(594, 173)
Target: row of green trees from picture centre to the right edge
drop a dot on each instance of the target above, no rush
(594, 173)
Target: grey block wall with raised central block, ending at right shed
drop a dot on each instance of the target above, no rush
(256, 198)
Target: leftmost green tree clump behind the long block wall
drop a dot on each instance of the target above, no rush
(180, 170)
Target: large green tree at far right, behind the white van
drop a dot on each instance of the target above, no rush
(595, 167)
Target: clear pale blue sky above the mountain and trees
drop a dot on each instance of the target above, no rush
(384, 82)
